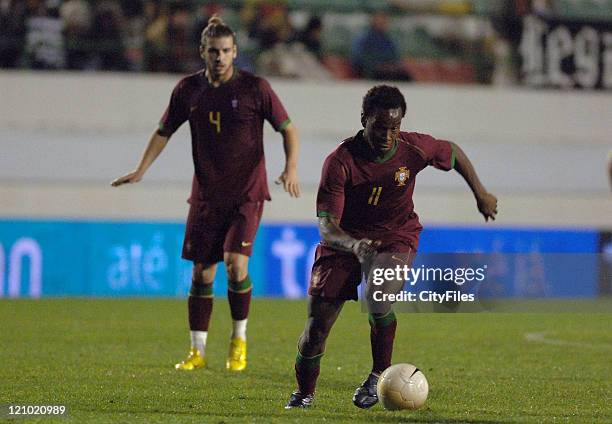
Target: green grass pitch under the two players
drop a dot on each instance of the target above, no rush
(111, 360)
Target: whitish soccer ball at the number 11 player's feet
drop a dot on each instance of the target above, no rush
(402, 386)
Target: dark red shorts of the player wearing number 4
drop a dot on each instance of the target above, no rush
(212, 230)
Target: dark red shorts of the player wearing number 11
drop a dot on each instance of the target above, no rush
(337, 275)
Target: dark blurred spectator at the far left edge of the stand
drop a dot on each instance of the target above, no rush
(12, 32)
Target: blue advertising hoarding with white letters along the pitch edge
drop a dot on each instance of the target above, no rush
(98, 258)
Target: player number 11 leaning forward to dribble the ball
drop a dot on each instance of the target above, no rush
(366, 213)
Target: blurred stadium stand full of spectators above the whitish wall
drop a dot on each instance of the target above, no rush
(453, 41)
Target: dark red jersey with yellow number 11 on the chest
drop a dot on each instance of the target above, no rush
(373, 199)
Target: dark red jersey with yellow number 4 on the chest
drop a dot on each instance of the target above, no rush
(226, 125)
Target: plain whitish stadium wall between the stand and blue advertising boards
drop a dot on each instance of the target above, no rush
(64, 136)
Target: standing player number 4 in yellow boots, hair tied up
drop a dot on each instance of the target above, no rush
(226, 109)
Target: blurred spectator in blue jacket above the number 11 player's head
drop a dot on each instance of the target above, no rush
(374, 55)
